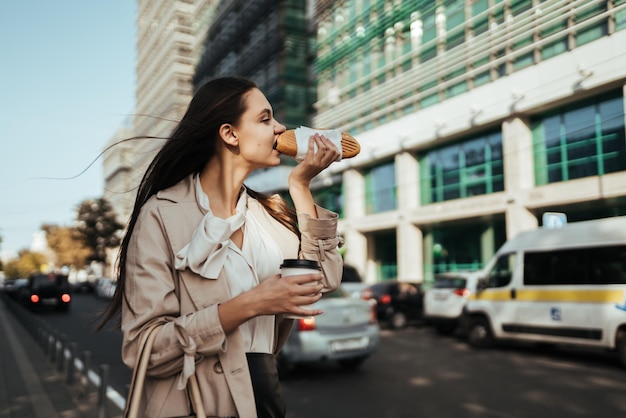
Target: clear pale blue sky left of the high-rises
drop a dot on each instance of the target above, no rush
(67, 83)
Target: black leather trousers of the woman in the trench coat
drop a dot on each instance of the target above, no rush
(268, 395)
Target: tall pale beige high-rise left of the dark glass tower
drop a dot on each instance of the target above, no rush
(169, 38)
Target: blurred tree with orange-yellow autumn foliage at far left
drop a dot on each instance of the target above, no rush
(67, 244)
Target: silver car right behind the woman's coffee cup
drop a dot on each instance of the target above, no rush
(347, 333)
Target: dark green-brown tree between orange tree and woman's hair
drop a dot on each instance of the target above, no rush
(98, 228)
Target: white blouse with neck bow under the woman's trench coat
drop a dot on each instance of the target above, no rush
(211, 250)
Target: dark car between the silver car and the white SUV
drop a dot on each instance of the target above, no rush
(397, 302)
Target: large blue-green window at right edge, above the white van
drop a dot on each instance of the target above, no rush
(582, 141)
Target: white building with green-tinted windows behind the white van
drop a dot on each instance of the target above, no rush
(475, 118)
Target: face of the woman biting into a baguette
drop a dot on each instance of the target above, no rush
(257, 131)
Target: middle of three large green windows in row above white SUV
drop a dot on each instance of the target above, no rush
(473, 167)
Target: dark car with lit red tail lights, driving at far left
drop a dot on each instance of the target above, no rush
(46, 290)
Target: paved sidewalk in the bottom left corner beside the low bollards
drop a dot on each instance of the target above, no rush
(30, 385)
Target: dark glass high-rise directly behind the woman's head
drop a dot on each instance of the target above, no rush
(267, 42)
